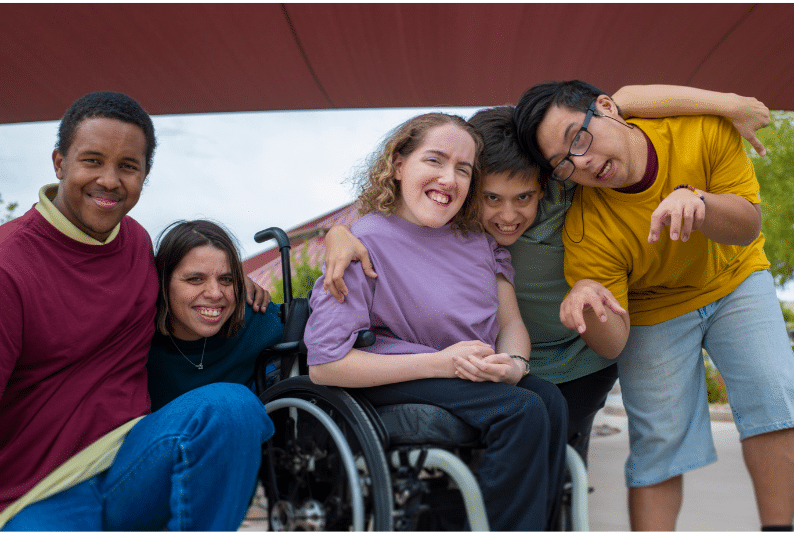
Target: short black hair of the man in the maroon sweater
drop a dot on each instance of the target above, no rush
(110, 105)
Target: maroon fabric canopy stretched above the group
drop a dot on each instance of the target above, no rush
(188, 58)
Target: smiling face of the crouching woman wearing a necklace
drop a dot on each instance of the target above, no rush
(201, 293)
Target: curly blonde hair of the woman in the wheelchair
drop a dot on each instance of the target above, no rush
(380, 192)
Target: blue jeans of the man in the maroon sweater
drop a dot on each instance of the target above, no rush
(191, 465)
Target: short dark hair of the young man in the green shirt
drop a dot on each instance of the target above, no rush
(501, 152)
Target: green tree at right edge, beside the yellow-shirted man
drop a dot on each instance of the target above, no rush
(775, 174)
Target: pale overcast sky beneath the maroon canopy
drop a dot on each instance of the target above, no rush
(248, 171)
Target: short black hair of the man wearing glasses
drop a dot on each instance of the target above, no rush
(533, 105)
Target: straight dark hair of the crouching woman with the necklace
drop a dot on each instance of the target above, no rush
(176, 241)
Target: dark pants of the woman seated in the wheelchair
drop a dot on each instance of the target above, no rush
(523, 430)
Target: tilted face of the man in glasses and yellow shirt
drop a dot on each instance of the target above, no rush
(614, 159)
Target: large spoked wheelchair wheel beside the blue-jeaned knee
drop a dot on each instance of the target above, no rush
(324, 468)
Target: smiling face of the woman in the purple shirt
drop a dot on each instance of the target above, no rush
(435, 177)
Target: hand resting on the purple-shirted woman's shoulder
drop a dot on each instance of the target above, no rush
(342, 248)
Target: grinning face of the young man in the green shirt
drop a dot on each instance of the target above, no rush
(509, 205)
